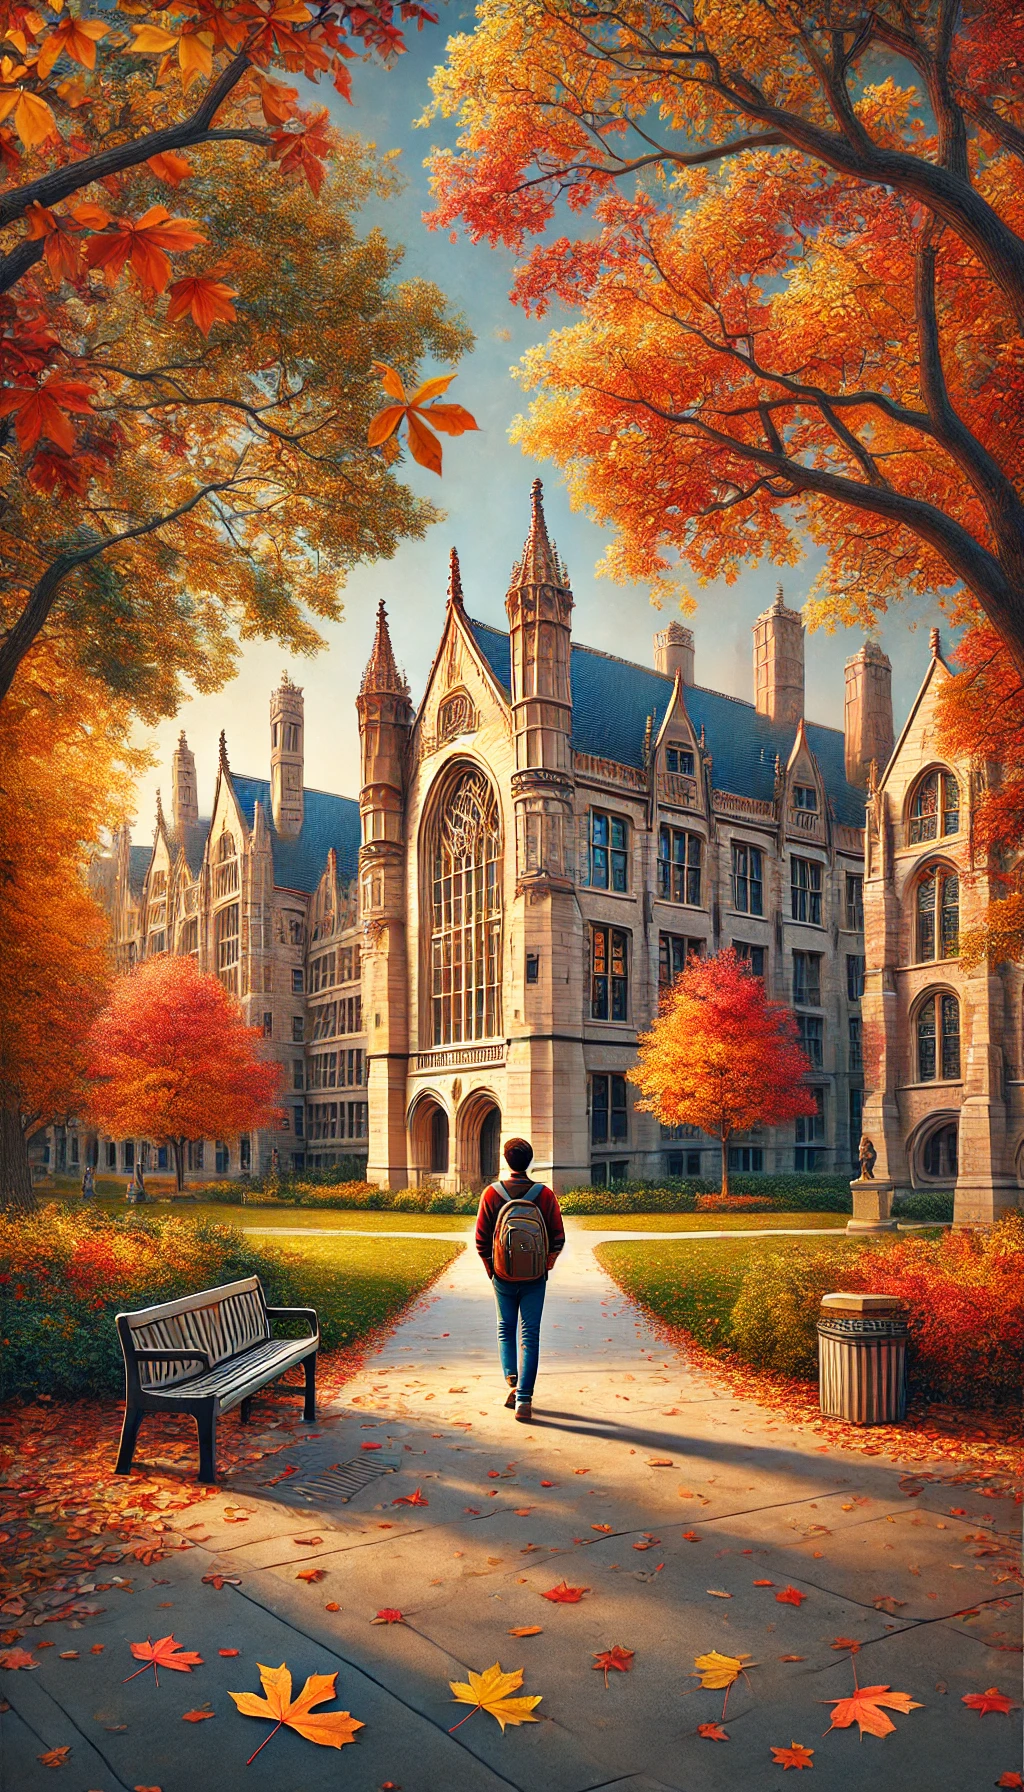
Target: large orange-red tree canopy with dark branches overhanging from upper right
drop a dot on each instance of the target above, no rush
(801, 280)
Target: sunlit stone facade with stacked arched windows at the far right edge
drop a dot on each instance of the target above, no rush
(946, 1105)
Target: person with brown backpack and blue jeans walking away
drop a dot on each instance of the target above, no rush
(519, 1237)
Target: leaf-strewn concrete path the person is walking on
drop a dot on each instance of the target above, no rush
(639, 1481)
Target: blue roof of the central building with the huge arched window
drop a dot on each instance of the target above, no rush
(614, 698)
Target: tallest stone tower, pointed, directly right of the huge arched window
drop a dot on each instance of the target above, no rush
(546, 936)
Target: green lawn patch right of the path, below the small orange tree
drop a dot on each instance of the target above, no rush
(693, 1286)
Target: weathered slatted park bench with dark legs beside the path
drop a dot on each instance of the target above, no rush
(205, 1356)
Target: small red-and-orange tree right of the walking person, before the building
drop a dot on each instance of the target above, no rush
(722, 1056)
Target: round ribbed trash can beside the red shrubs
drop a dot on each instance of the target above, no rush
(863, 1359)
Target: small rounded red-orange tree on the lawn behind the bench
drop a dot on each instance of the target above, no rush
(173, 1060)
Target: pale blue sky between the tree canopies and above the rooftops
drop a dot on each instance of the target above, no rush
(485, 492)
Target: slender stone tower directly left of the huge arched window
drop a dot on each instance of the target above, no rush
(385, 732)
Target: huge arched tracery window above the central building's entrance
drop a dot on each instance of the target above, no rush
(467, 913)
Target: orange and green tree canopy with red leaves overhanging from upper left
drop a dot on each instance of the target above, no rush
(187, 383)
